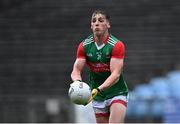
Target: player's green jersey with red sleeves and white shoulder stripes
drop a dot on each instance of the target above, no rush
(98, 60)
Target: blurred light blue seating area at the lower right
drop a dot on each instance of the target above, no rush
(159, 98)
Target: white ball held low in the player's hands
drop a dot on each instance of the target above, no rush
(79, 92)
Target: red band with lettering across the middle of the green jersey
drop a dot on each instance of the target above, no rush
(99, 67)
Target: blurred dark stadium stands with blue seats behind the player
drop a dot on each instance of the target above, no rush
(38, 41)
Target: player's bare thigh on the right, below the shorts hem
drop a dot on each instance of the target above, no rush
(117, 112)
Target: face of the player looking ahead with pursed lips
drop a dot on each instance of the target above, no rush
(99, 24)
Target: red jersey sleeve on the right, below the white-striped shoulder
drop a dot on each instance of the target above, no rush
(118, 50)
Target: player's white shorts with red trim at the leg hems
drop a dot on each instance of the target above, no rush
(101, 108)
